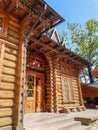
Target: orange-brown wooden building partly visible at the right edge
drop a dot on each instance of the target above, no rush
(90, 91)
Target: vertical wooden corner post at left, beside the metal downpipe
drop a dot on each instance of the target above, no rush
(18, 92)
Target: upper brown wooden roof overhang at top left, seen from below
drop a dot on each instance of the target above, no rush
(36, 13)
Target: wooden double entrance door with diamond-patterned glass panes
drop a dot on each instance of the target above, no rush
(34, 101)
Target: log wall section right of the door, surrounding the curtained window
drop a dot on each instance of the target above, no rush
(54, 89)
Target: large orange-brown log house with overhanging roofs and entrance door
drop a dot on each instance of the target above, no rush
(37, 74)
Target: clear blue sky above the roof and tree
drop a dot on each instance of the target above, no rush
(78, 11)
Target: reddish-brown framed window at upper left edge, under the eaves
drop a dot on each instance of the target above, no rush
(3, 25)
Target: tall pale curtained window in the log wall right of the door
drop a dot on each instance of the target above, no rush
(67, 89)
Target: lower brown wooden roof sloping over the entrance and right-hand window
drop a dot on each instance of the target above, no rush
(47, 46)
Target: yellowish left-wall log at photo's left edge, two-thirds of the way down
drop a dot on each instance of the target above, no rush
(7, 86)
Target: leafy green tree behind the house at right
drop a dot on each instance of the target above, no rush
(84, 41)
